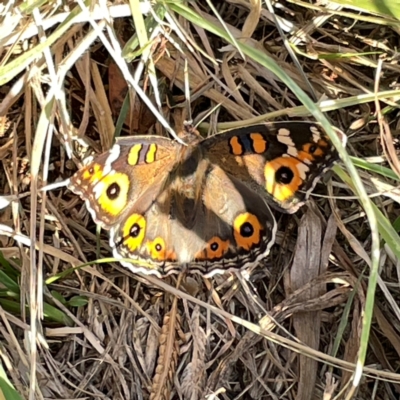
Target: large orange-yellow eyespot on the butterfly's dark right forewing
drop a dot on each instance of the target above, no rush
(284, 176)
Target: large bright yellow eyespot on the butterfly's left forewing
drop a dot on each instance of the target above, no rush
(112, 192)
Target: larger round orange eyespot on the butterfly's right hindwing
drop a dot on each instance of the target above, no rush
(247, 230)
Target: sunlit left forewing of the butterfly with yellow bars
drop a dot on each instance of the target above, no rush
(120, 176)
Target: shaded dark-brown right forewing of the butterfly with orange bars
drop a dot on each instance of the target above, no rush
(282, 160)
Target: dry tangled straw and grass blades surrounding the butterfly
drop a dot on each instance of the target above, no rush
(297, 328)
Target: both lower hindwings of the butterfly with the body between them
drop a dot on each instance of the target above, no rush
(201, 218)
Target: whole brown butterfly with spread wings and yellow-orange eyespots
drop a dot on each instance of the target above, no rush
(204, 205)
